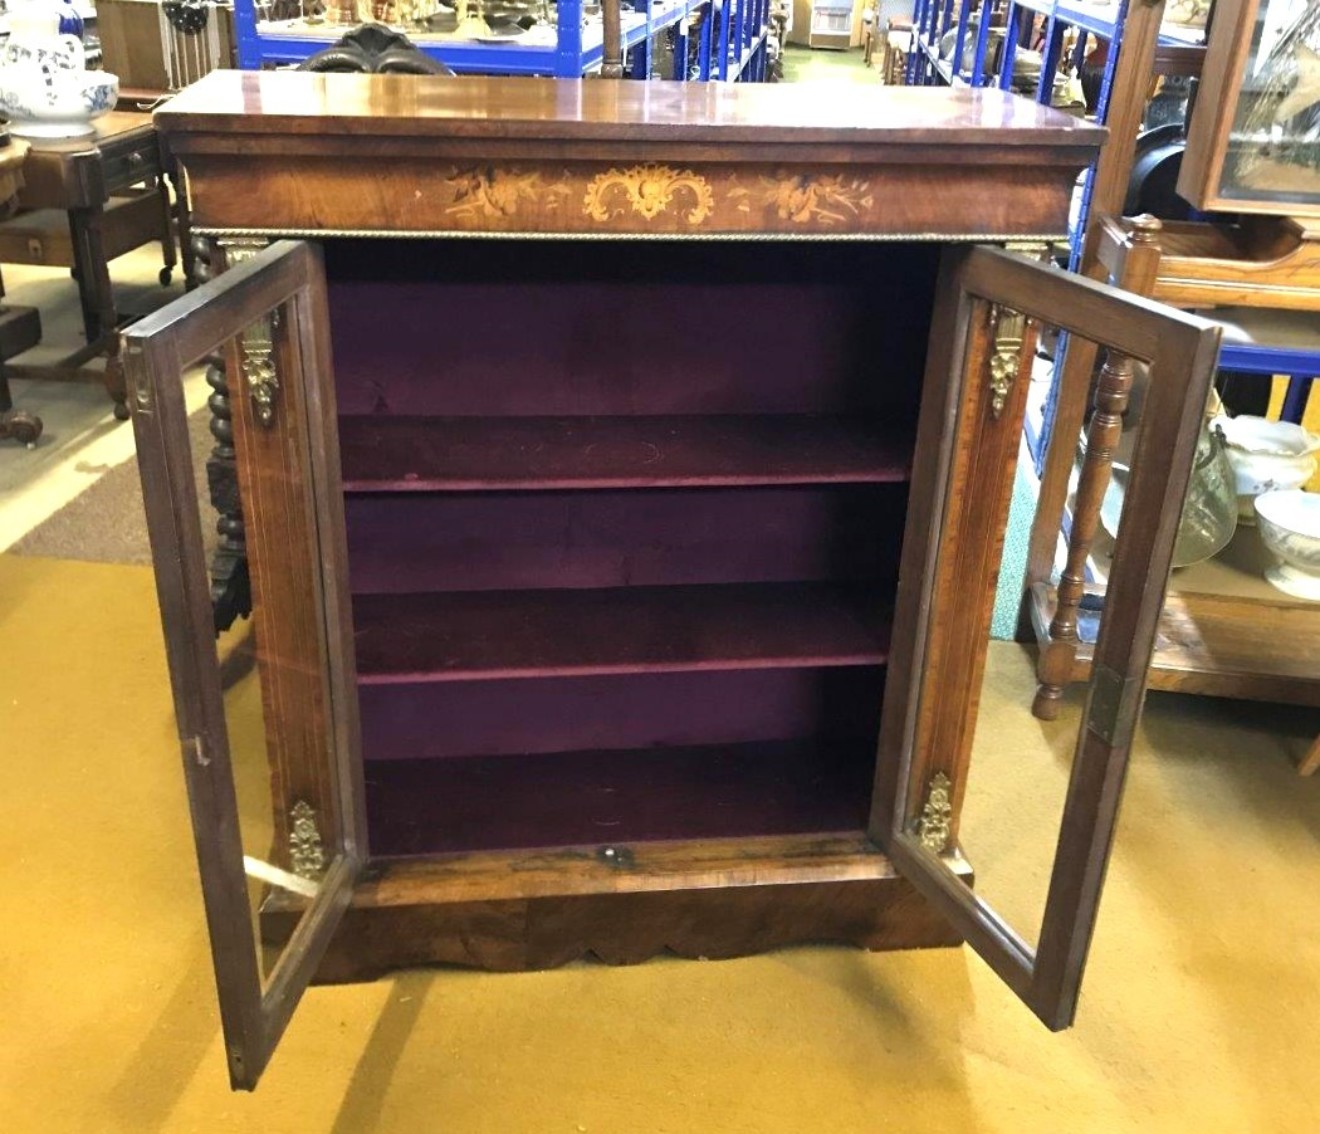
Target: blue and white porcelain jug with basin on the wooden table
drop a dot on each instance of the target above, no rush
(46, 88)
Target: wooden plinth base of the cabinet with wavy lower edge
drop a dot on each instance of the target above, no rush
(539, 910)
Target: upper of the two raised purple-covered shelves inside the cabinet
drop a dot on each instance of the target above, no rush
(420, 455)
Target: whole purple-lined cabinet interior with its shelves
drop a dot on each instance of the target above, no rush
(624, 527)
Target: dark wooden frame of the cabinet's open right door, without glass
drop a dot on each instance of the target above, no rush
(927, 679)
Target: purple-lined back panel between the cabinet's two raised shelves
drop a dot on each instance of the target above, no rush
(617, 538)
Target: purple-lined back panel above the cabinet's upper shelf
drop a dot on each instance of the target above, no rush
(572, 349)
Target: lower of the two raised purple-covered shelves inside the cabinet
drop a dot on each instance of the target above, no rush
(493, 636)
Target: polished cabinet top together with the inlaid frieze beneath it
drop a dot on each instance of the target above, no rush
(303, 154)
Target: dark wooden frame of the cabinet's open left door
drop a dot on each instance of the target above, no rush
(156, 350)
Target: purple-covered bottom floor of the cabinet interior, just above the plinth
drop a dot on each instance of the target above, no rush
(597, 798)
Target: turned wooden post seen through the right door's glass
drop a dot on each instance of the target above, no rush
(1057, 659)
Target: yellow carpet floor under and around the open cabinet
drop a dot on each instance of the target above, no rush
(1202, 1011)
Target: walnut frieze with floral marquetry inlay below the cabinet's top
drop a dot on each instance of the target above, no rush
(306, 195)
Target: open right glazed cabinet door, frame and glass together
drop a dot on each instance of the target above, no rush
(943, 702)
